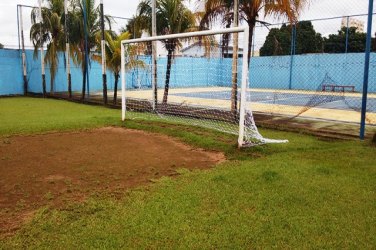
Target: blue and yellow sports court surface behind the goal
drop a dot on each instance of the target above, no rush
(338, 106)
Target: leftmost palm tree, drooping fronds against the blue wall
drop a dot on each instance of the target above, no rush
(52, 34)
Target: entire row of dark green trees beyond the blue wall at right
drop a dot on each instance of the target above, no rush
(307, 40)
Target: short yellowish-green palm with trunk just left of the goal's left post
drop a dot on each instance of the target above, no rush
(113, 56)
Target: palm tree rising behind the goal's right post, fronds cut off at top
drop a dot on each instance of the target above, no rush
(249, 11)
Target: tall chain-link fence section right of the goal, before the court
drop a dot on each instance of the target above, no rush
(314, 69)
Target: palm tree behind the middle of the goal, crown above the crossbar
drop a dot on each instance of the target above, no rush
(172, 17)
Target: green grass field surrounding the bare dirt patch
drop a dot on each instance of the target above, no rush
(309, 193)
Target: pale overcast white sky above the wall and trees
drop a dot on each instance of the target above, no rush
(127, 8)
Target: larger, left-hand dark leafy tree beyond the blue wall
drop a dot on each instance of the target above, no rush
(278, 41)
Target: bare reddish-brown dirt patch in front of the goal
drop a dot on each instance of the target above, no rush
(53, 169)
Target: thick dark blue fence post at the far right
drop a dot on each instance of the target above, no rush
(366, 71)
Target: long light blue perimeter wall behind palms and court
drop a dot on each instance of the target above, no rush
(309, 71)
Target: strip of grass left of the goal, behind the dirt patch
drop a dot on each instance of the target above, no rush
(28, 115)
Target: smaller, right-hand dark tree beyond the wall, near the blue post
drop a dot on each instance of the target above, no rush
(336, 43)
